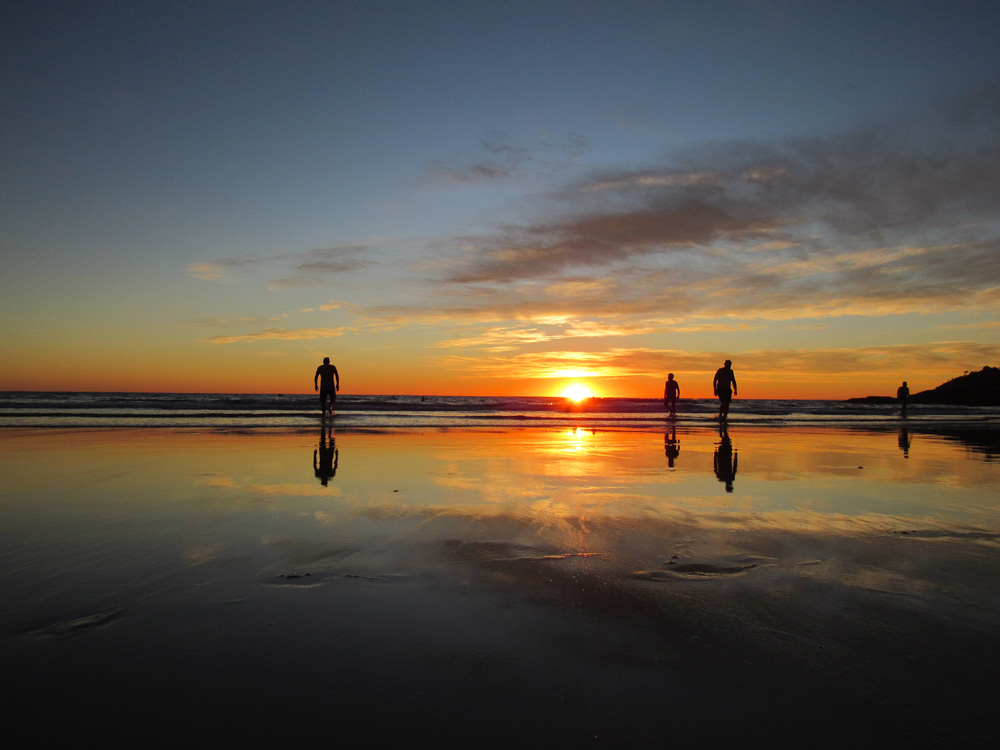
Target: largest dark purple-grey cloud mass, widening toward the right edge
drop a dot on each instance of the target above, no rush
(884, 219)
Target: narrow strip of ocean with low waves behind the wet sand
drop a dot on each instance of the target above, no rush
(232, 410)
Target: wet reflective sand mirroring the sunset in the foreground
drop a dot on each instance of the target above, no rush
(489, 588)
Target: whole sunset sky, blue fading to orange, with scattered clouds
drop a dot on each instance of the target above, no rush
(499, 198)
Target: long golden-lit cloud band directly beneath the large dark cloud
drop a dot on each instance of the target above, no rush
(736, 292)
